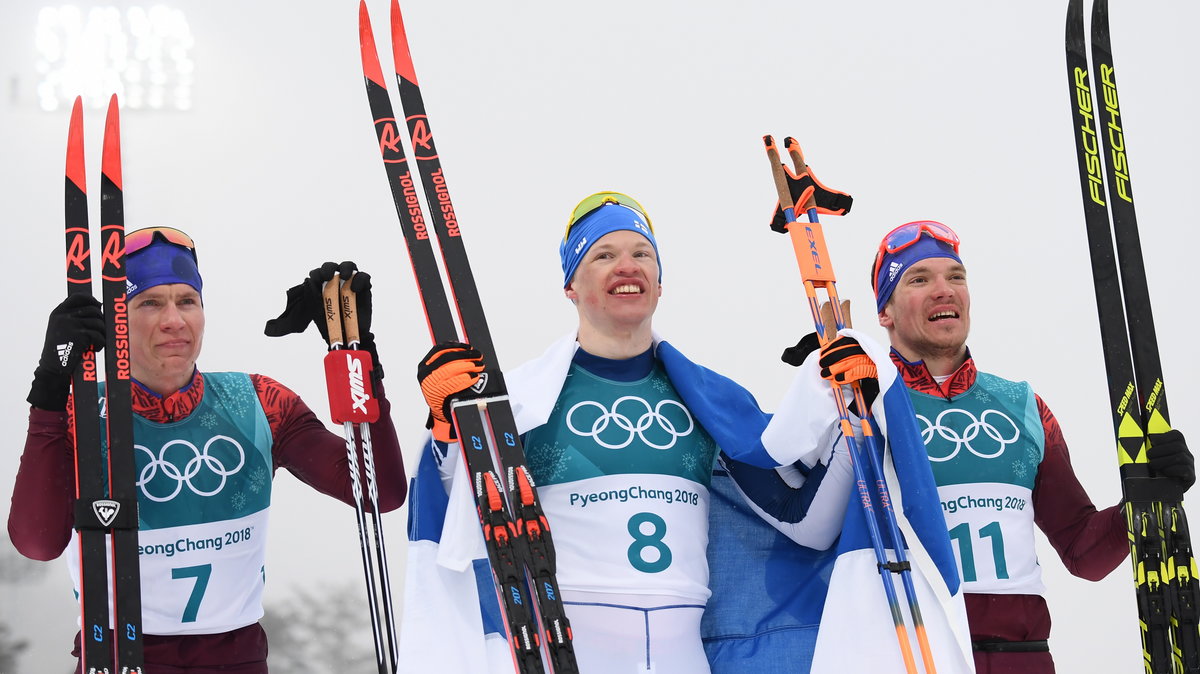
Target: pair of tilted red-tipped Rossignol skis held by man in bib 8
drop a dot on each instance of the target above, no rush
(515, 531)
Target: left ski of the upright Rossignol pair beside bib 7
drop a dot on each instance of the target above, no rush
(94, 510)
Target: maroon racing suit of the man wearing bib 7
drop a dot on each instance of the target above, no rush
(41, 520)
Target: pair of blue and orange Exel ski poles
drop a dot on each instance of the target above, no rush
(817, 273)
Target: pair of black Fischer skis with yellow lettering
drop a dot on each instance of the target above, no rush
(1163, 563)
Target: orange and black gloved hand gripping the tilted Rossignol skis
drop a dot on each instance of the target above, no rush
(447, 374)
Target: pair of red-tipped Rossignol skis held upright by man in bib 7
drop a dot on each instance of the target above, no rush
(106, 504)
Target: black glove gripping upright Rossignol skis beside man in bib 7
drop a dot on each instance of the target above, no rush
(76, 326)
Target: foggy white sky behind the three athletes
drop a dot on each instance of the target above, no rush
(931, 110)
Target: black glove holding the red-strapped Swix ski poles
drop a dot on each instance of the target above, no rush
(305, 306)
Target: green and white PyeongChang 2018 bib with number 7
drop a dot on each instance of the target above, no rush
(205, 491)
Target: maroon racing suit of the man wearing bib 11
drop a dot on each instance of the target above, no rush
(1090, 543)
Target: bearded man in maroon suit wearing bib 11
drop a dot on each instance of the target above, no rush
(998, 453)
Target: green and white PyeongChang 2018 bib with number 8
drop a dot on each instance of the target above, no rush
(622, 472)
